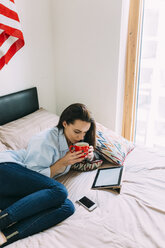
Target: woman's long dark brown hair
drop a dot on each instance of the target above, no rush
(79, 111)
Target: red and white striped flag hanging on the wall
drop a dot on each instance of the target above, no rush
(11, 36)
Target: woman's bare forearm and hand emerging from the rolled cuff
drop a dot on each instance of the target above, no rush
(69, 159)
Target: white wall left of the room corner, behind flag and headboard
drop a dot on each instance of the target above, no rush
(33, 64)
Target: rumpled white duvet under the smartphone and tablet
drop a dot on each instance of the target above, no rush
(135, 218)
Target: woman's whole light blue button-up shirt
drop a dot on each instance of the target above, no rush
(43, 150)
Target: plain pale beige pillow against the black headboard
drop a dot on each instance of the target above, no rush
(16, 134)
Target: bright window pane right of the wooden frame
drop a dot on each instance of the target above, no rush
(150, 117)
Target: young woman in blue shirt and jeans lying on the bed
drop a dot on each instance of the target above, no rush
(30, 199)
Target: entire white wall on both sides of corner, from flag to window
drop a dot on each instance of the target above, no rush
(74, 52)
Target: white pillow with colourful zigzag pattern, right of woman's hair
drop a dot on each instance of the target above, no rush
(111, 146)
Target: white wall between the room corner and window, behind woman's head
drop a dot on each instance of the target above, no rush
(87, 49)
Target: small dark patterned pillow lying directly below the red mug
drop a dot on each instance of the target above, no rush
(87, 166)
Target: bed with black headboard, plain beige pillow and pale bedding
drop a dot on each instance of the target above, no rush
(132, 219)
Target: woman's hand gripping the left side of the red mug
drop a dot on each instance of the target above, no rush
(72, 158)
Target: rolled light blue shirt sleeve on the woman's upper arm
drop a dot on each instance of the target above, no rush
(41, 154)
